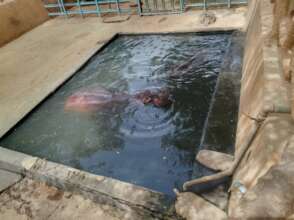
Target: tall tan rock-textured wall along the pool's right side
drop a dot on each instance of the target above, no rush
(262, 185)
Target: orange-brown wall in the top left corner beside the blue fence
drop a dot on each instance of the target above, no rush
(18, 17)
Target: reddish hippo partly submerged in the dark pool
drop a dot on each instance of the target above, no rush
(96, 98)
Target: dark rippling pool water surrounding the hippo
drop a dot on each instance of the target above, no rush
(142, 144)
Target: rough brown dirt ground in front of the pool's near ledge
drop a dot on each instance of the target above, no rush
(28, 199)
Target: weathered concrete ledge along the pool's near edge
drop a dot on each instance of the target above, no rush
(96, 187)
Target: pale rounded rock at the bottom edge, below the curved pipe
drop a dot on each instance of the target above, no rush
(192, 207)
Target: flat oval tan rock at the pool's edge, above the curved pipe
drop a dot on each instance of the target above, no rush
(215, 160)
